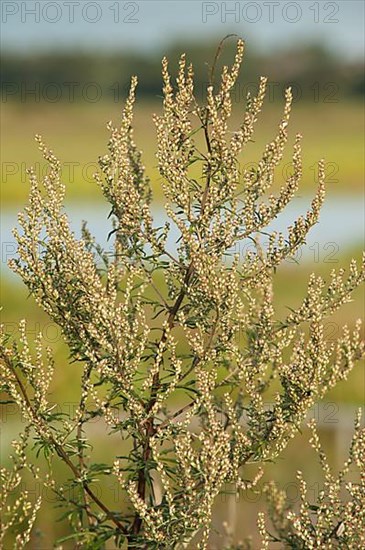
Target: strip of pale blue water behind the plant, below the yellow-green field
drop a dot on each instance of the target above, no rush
(341, 226)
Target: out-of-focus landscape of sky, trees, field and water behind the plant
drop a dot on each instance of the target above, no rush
(65, 71)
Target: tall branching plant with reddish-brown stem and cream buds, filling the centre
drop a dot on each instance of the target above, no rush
(181, 350)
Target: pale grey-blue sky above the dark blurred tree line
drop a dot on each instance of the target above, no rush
(151, 25)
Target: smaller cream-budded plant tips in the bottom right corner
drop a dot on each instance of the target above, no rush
(337, 518)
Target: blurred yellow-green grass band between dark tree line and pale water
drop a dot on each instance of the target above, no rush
(77, 134)
